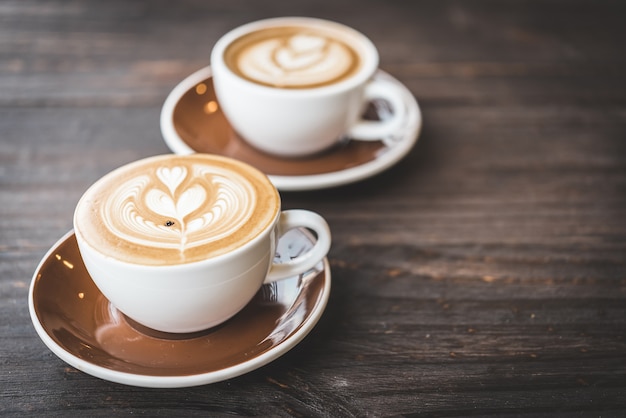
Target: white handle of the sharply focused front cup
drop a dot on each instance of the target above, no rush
(290, 219)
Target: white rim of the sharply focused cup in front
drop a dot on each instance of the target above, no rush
(176, 266)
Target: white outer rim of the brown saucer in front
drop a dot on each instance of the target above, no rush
(152, 381)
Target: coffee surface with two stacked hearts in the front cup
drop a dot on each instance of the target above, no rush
(170, 209)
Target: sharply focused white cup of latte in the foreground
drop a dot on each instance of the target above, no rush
(182, 243)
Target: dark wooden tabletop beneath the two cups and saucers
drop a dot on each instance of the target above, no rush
(483, 275)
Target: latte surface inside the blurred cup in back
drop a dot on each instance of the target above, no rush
(293, 57)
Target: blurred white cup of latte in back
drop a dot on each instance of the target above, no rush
(295, 86)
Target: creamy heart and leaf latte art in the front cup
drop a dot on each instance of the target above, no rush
(178, 211)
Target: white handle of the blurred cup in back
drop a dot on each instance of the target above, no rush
(370, 130)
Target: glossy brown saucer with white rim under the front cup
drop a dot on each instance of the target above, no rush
(81, 326)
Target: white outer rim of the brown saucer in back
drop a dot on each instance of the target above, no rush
(303, 182)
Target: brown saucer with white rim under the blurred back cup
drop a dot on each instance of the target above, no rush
(192, 121)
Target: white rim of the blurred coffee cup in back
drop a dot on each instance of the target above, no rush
(366, 47)
